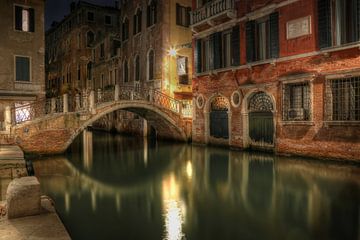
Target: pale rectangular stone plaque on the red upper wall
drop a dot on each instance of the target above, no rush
(298, 27)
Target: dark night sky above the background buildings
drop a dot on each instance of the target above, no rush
(55, 10)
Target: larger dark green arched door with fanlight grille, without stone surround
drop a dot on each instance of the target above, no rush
(261, 119)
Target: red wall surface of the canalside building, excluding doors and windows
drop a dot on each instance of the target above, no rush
(316, 138)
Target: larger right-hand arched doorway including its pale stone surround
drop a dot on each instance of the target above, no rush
(259, 119)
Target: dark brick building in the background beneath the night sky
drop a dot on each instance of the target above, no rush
(82, 50)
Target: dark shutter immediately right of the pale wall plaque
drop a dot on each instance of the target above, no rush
(324, 23)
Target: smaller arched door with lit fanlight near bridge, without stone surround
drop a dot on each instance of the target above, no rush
(219, 123)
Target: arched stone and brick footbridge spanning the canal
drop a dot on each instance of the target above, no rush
(49, 126)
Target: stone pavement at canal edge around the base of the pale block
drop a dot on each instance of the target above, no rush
(47, 225)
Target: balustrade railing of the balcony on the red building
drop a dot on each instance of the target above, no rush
(211, 9)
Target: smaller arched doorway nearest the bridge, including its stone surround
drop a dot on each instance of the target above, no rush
(217, 118)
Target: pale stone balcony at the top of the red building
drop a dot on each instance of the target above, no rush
(212, 13)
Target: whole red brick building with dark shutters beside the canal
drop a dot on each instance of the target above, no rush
(281, 75)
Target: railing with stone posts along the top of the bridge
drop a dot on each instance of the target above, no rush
(77, 102)
